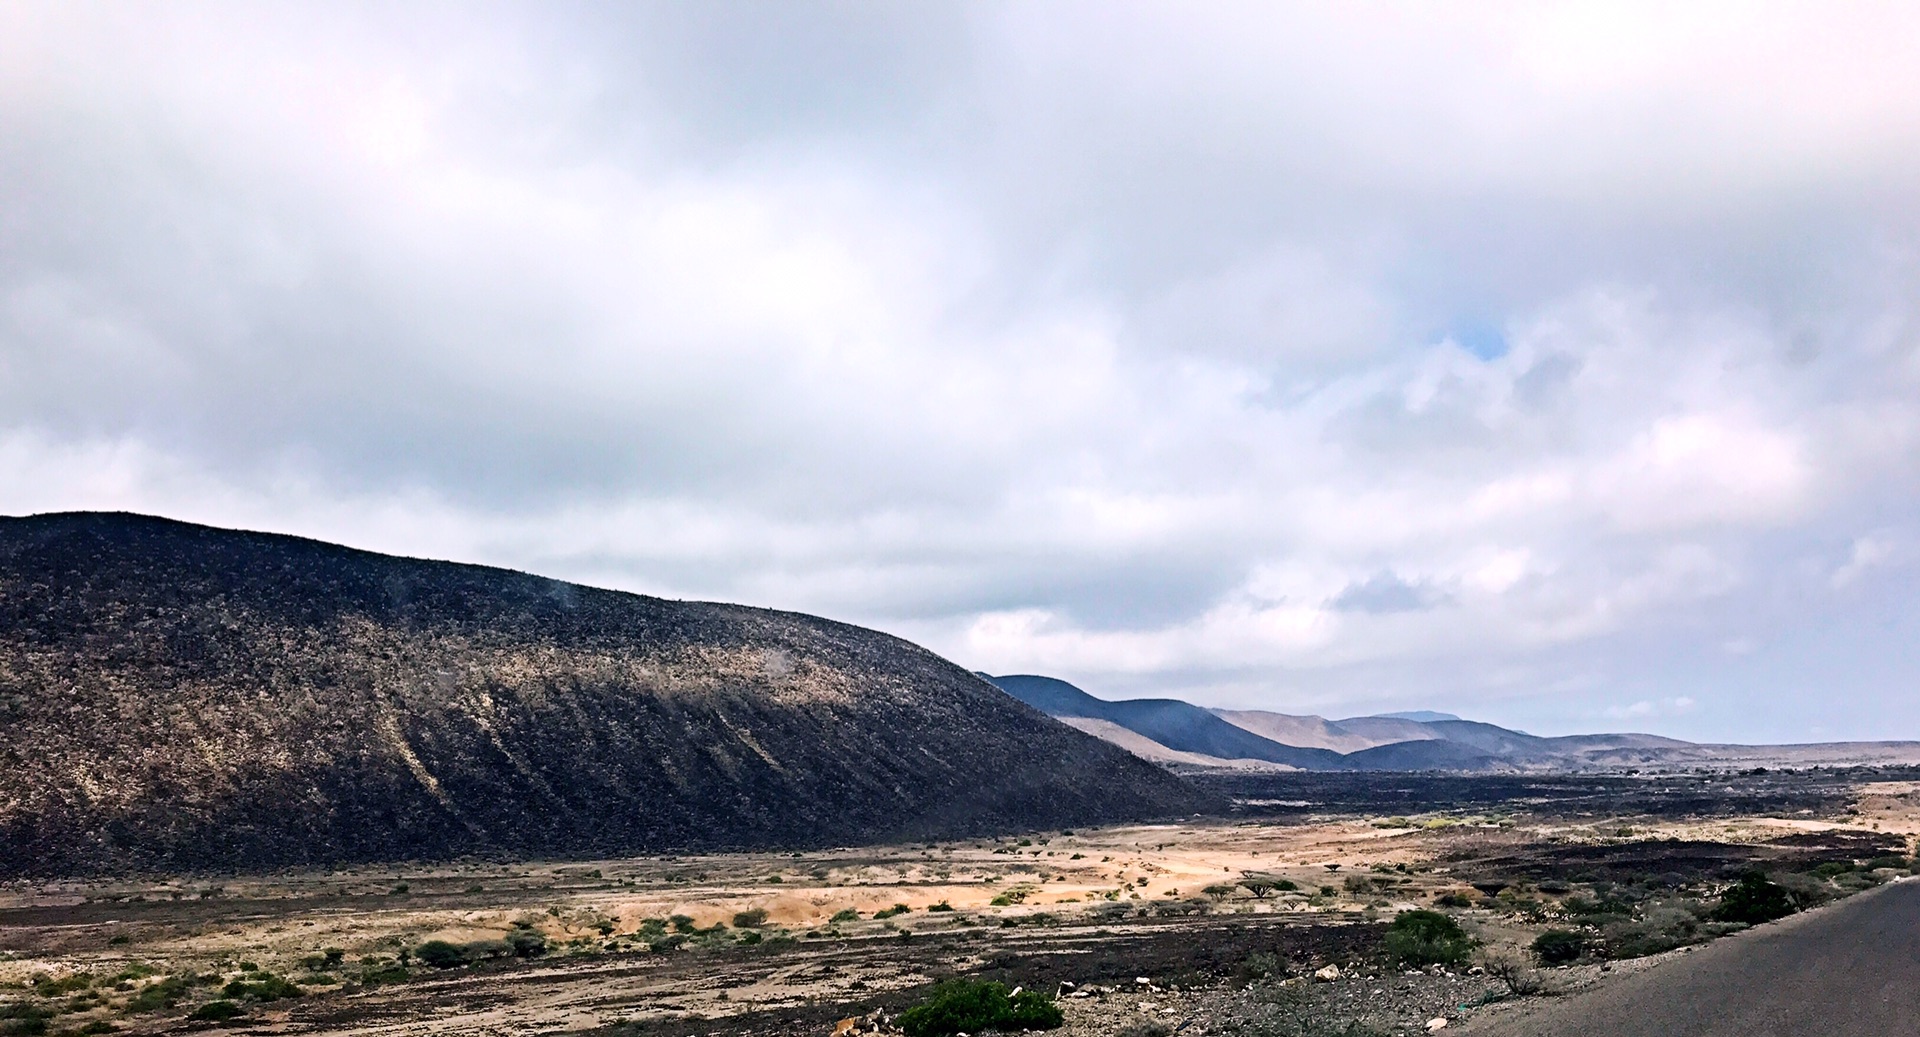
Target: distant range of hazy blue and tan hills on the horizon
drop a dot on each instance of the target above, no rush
(1182, 735)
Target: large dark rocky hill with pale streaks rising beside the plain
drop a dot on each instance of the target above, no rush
(180, 696)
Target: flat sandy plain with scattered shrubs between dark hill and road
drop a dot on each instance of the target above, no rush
(1209, 923)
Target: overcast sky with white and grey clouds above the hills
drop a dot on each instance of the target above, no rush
(1547, 364)
